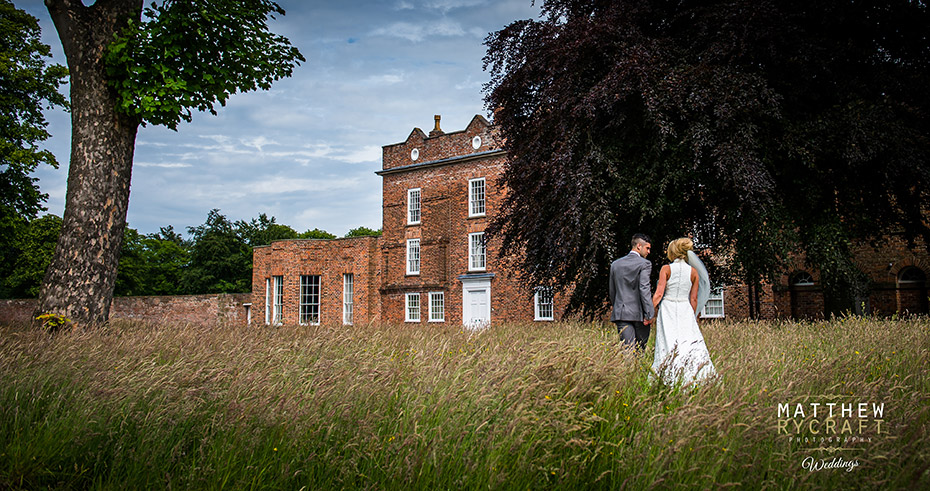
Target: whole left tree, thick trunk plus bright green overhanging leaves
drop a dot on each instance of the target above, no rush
(130, 67)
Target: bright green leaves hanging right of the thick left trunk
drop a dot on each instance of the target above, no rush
(190, 54)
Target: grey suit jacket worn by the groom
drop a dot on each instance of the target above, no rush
(630, 293)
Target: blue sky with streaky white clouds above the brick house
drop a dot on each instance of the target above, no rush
(306, 151)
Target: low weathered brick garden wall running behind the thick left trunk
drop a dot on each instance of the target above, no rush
(191, 309)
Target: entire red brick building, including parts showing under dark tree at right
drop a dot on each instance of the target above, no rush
(432, 265)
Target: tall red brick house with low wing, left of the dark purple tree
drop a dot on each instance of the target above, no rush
(432, 264)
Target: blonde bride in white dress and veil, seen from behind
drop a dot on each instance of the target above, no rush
(680, 350)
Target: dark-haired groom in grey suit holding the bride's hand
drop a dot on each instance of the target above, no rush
(631, 295)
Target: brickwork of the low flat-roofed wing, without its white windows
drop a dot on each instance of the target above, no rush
(330, 259)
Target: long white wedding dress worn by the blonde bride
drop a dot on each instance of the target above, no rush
(680, 350)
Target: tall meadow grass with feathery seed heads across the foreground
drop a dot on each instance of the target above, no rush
(516, 406)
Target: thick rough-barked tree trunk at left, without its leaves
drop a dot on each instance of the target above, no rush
(79, 282)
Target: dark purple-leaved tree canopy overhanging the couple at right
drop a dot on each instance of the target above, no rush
(760, 127)
